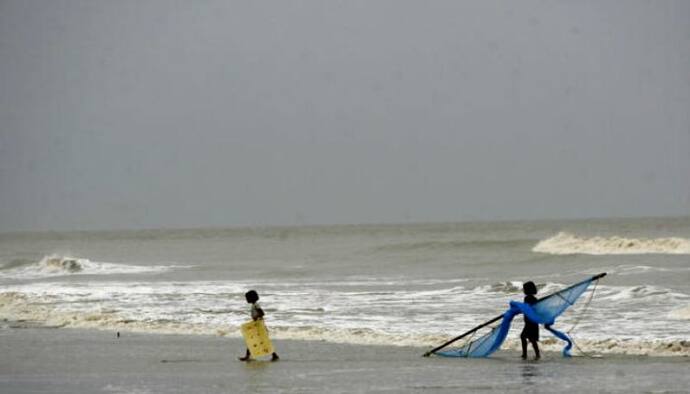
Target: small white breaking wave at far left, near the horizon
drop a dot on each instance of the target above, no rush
(55, 265)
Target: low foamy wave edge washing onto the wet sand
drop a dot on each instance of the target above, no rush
(111, 321)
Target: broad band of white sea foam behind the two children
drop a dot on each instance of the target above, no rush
(391, 315)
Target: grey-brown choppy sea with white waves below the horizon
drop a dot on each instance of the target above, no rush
(394, 284)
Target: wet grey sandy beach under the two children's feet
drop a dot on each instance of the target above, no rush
(90, 361)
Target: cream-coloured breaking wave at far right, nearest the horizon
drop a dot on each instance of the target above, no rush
(565, 243)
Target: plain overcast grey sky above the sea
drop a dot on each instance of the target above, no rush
(168, 114)
